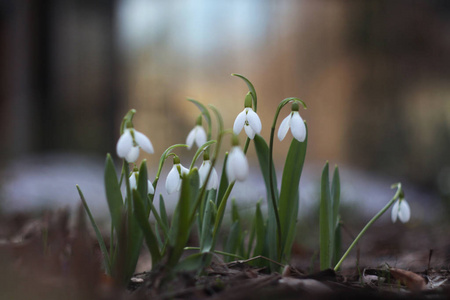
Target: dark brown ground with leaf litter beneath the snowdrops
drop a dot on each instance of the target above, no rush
(44, 257)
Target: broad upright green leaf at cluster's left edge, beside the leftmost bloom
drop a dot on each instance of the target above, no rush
(113, 193)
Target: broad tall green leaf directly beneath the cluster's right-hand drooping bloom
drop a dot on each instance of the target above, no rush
(289, 194)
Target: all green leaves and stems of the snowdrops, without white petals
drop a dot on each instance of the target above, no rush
(271, 233)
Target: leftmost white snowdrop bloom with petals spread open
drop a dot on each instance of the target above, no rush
(128, 147)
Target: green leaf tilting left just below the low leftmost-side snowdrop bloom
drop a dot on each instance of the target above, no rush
(149, 235)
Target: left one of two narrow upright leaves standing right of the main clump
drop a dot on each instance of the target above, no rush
(324, 220)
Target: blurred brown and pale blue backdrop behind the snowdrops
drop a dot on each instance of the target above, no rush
(375, 76)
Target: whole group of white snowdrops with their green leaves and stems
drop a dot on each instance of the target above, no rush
(203, 198)
